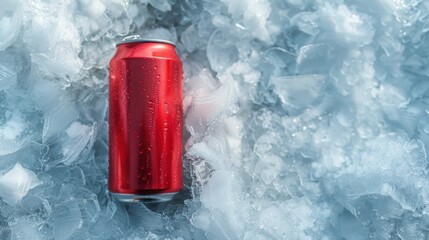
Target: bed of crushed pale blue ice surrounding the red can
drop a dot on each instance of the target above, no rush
(305, 119)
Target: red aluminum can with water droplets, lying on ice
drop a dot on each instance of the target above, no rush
(145, 121)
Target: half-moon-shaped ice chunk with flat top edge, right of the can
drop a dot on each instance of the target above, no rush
(299, 91)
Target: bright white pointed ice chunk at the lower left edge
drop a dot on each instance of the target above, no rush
(16, 183)
